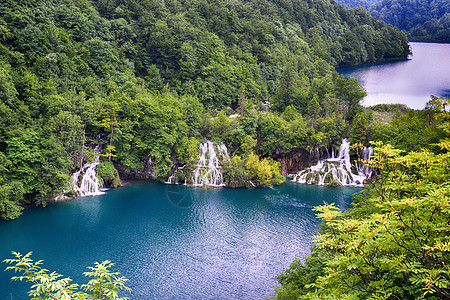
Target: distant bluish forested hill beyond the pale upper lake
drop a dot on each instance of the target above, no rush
(427, 20)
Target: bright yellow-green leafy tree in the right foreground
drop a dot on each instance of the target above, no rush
(403, 243)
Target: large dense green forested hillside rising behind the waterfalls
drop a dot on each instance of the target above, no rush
(146, 81)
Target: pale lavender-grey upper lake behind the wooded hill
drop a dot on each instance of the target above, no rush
(411, 81)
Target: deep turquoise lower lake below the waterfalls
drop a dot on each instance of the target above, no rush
(174, 242)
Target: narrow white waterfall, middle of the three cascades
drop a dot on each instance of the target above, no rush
(208, 169)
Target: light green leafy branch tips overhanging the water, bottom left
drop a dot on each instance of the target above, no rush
(103, 284)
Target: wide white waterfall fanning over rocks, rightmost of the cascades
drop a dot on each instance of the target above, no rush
(337, 170)
